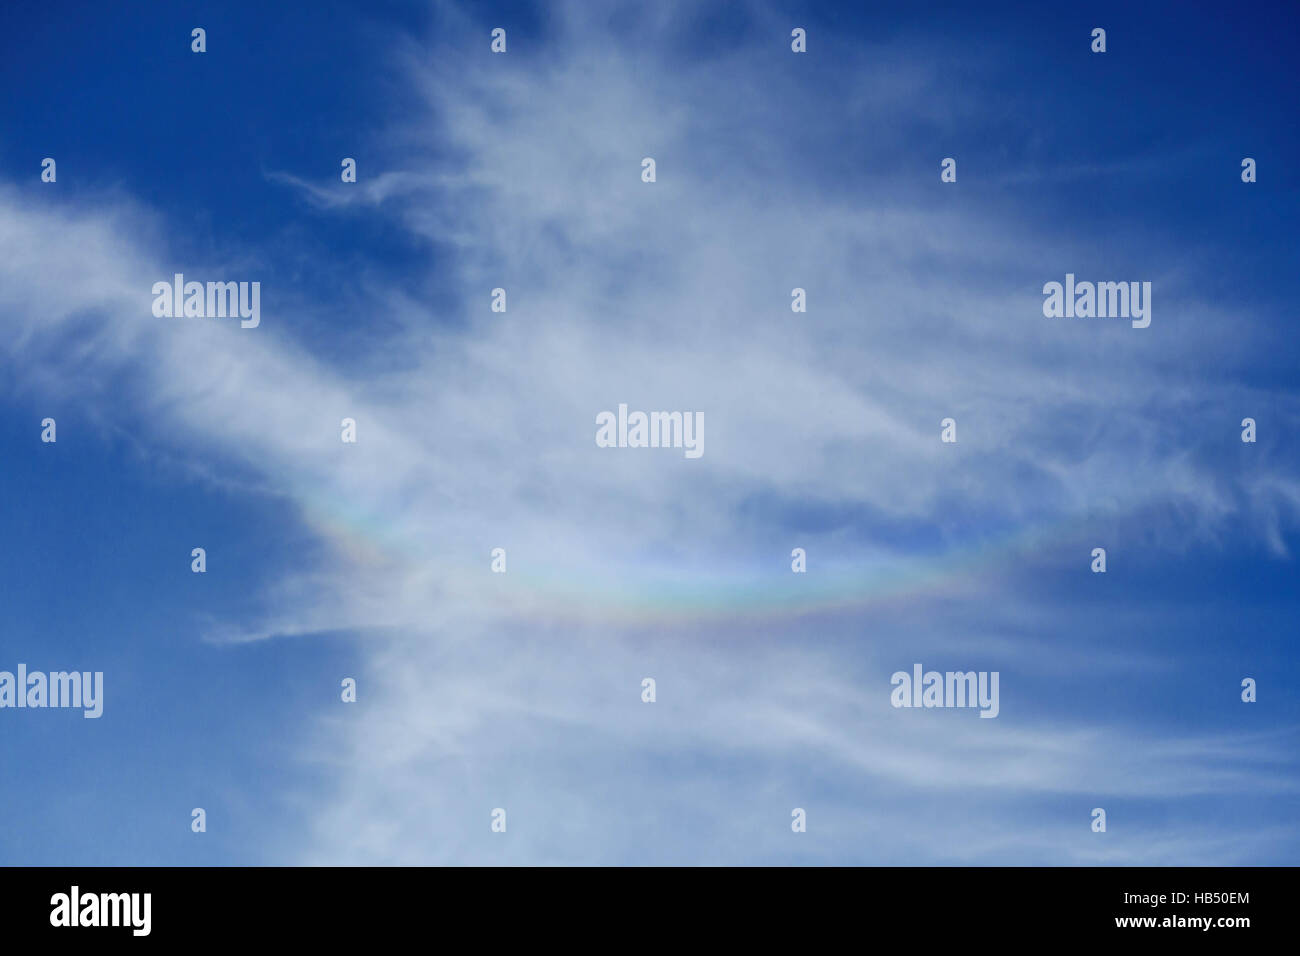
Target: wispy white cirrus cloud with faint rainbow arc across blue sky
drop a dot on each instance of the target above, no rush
(522, 690)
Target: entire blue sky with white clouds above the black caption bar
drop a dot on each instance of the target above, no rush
(522, 691)
